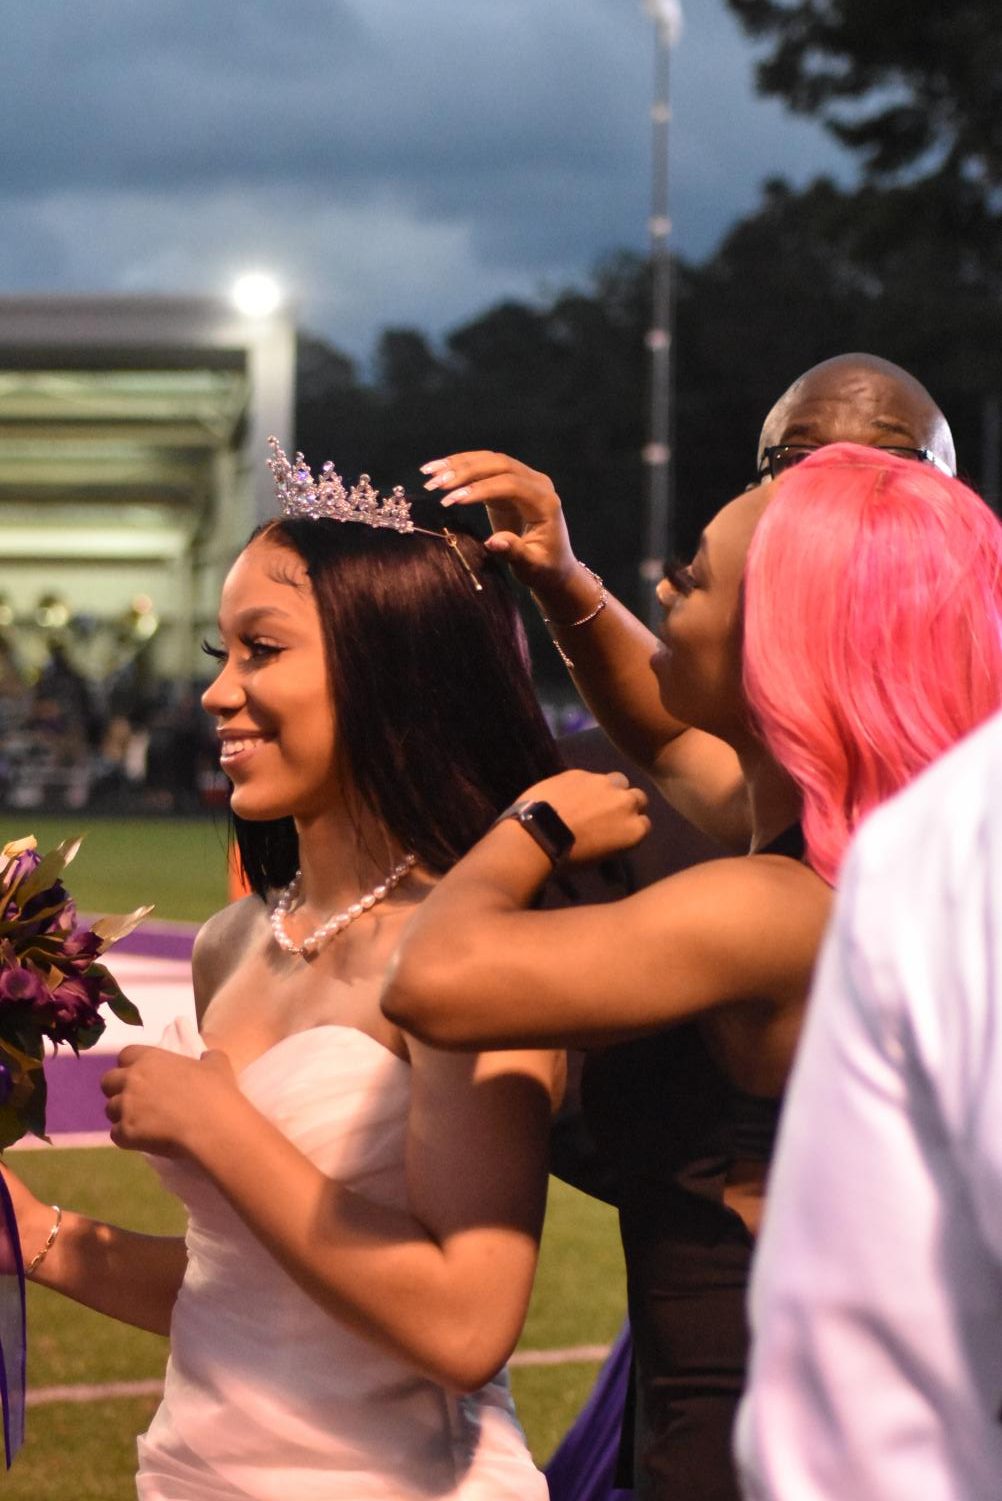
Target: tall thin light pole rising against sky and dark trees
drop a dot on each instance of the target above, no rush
(668, 25)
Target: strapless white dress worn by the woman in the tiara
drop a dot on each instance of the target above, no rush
(268, 1398)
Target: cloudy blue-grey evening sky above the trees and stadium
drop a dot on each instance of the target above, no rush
(392, 161)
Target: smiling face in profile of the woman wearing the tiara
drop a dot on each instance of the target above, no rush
(272, 696)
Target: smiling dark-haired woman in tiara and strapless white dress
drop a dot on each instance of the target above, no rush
(364, 1211)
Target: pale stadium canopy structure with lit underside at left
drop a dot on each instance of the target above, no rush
(133, 439)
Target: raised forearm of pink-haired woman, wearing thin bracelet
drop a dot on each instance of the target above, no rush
(611, 657)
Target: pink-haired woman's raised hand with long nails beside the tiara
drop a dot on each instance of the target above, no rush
(524, 508)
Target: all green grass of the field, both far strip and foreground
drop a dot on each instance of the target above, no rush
(86, 1451)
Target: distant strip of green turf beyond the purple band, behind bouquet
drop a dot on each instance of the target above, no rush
(176, 864)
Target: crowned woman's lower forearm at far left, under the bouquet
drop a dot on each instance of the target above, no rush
(118, 1272)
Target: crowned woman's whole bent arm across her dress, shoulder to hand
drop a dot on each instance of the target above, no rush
(445, 1286)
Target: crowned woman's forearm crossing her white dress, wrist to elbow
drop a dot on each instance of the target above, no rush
(374, 1268)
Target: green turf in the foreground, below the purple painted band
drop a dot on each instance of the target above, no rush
(86, 1452)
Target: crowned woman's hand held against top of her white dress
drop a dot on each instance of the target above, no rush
(161, 1101)
